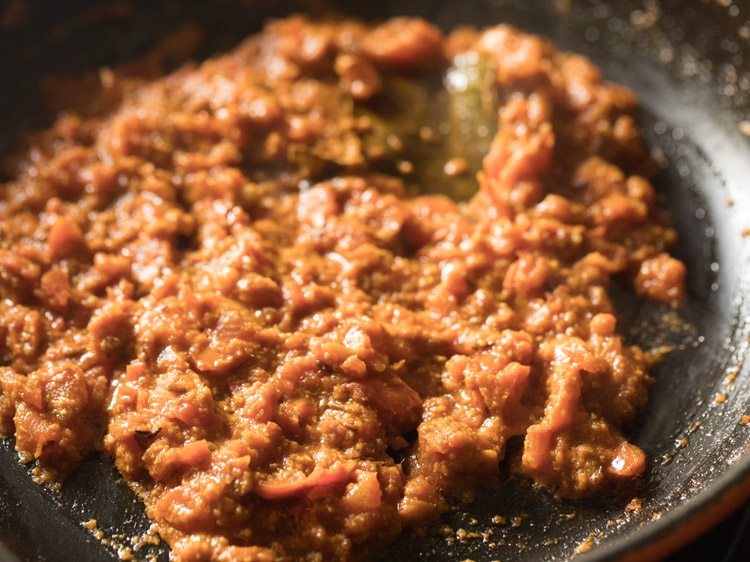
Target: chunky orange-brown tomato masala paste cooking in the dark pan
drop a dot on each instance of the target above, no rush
(215, 278)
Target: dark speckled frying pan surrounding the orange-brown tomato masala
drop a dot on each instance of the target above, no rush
(689, 62)
